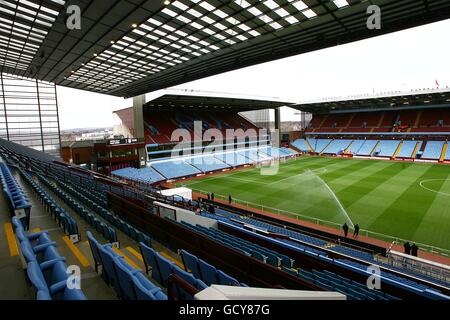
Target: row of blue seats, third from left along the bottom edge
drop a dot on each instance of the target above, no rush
(160, 268)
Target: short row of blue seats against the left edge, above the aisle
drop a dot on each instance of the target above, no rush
(17, 199)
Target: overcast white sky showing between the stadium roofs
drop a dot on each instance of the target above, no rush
(405, 60)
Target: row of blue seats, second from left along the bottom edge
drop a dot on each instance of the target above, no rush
(128, 283)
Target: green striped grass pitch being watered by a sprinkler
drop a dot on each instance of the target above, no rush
(405, 200)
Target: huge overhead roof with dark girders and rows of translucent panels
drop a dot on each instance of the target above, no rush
(130, 47)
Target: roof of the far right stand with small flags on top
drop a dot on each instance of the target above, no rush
(408, 100)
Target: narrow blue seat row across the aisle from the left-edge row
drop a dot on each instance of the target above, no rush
(64, 220)
